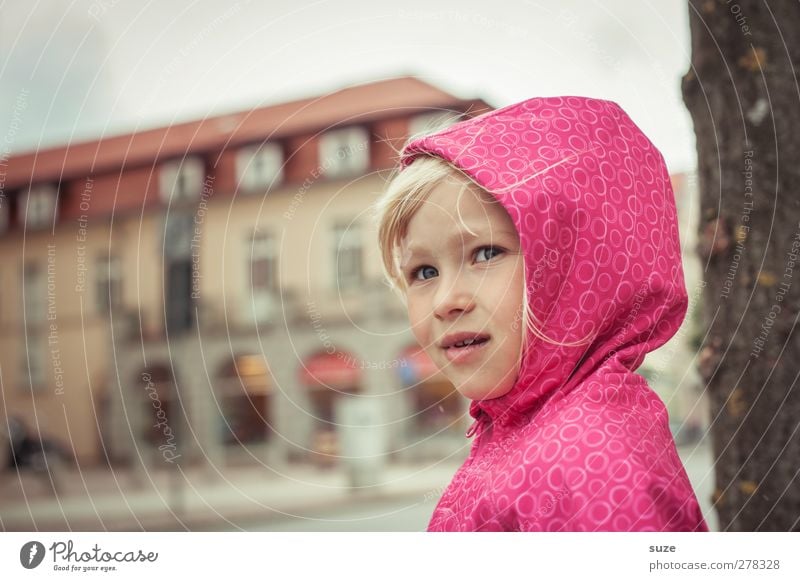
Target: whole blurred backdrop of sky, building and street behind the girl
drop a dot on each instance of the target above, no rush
(194, 329)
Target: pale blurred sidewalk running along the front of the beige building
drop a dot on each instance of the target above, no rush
(102, 500)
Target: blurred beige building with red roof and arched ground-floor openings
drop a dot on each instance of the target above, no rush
(211, 291)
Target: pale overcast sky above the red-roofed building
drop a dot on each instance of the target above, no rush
(82, 69)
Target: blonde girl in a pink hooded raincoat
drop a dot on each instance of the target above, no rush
(536, 249)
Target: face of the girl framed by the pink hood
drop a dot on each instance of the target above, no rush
(464, 283)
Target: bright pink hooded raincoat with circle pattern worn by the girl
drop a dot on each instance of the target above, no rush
(581, 442)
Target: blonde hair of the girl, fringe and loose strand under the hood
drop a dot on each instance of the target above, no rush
(407, 190)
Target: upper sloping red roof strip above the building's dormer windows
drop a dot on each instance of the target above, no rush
(360, 103)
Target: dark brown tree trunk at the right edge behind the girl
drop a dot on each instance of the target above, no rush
(743, 92)
